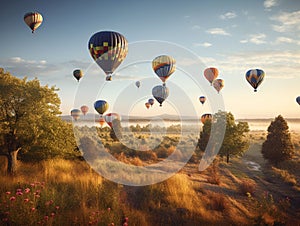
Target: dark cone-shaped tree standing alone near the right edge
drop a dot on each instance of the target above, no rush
(278, 145)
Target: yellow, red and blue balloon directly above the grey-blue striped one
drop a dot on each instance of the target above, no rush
(164, 66)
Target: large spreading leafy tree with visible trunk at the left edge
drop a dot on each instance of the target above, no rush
(29, 121)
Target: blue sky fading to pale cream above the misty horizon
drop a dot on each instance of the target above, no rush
(233, 36)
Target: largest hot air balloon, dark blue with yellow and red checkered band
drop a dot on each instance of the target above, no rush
(108, 49)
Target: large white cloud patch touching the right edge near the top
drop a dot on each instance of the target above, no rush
(288, 21)
